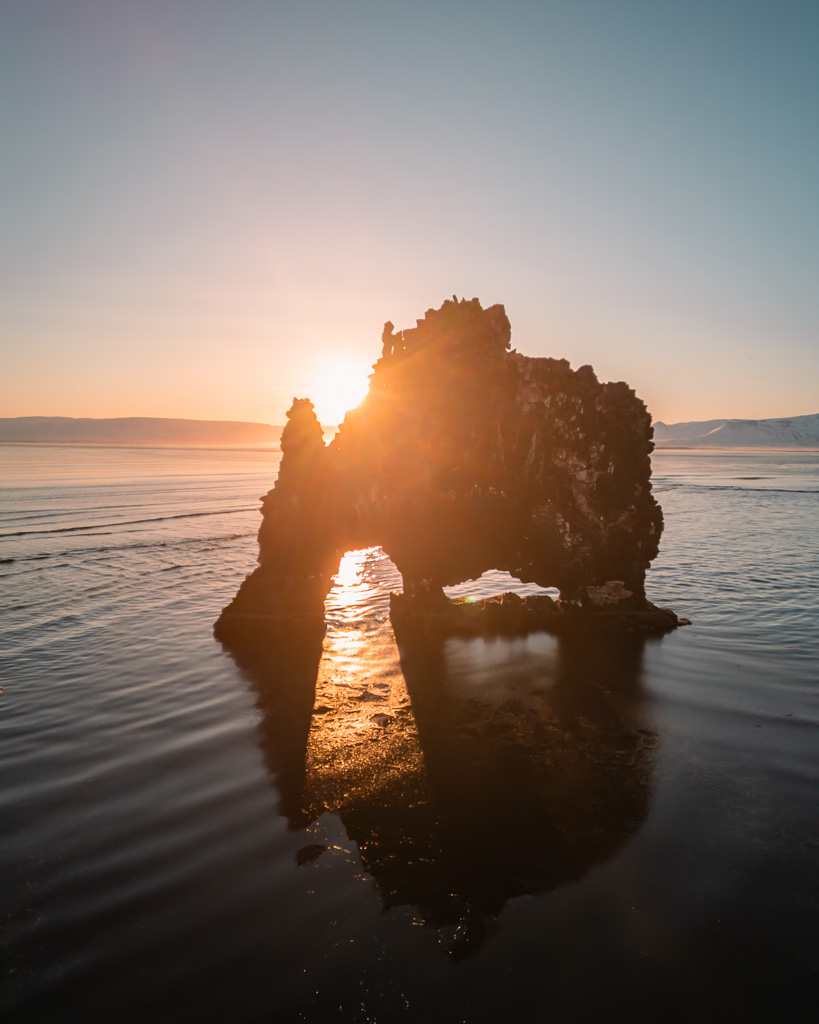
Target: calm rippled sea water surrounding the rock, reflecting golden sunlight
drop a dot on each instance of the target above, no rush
(494, 831)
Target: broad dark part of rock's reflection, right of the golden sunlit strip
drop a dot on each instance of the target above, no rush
(526, 788)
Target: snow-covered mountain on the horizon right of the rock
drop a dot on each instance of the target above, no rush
(798, 432)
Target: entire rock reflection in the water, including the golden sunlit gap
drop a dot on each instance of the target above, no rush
(513, 767)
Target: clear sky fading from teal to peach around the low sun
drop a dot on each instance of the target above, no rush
(203, 203)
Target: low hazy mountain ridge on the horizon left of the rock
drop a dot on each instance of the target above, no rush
(137, 431)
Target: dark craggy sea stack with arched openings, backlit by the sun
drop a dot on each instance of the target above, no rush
(465, 457)
